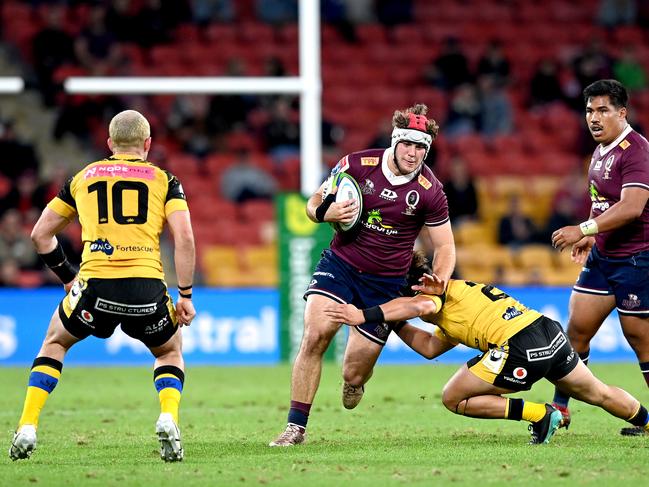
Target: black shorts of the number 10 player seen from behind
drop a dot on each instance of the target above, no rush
(141, 306)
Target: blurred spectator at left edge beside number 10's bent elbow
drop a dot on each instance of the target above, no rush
(15, 242)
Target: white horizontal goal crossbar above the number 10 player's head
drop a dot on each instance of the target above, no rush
(181, 85)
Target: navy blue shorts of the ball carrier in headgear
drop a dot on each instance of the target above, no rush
(336, 279)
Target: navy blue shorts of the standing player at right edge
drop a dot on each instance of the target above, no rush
(627, 278)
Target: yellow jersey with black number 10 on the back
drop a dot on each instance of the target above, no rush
(122, 203)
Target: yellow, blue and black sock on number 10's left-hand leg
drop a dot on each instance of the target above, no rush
(43, 378)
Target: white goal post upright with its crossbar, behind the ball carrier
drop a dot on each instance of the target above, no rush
(308, 85)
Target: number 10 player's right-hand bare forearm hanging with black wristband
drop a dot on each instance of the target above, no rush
(185, 261)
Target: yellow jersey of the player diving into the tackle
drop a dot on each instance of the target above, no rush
(479, 316)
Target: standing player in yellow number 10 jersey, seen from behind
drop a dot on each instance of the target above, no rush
(122, 203)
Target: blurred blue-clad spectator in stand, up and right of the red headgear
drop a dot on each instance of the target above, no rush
(496, 113)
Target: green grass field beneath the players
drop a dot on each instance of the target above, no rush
(97, 429)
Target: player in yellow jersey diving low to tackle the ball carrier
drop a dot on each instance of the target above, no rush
(520, 346)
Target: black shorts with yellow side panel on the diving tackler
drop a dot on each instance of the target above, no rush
(540, 350)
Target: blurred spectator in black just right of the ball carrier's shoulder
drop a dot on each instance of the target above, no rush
(460, 193)
